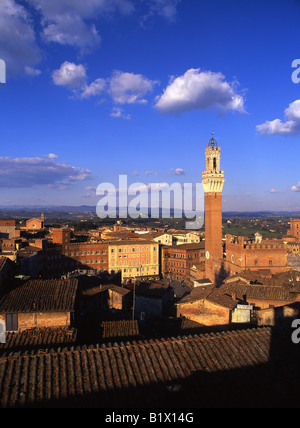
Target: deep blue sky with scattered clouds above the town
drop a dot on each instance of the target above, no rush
(106, 87)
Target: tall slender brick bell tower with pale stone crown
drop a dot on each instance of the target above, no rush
(213, 182)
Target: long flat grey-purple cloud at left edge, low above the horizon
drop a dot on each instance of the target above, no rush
(30, 172)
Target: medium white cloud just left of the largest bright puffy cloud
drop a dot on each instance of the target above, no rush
(129, 87)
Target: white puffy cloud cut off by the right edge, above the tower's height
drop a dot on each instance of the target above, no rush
(290, 127)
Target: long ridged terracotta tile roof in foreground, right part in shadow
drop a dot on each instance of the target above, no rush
(258, 367)
